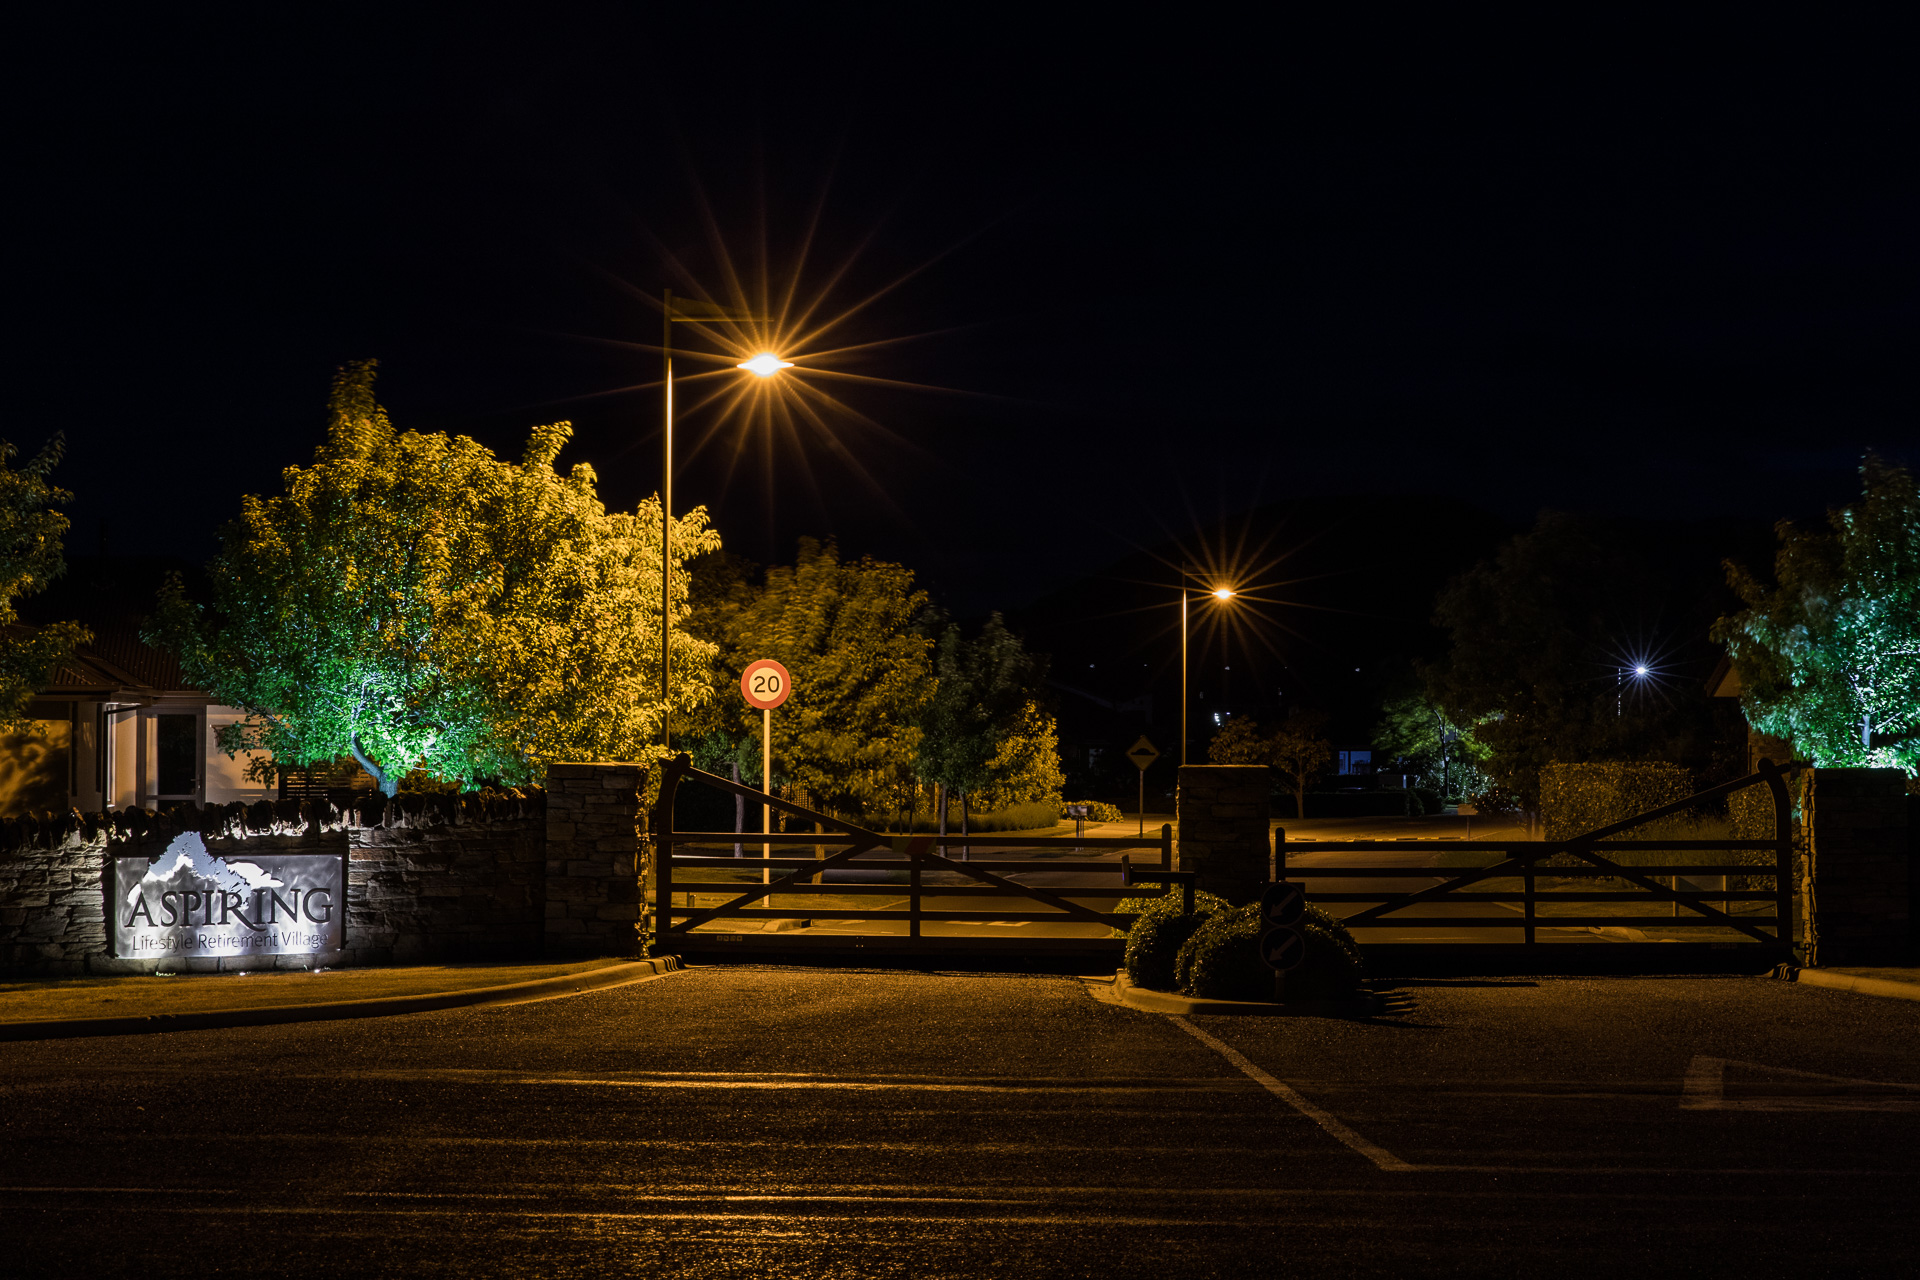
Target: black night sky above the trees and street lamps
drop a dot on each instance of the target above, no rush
(1161, 264)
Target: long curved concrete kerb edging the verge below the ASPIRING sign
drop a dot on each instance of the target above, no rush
(387, 1007)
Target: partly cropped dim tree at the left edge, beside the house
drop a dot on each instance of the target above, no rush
(30, 559)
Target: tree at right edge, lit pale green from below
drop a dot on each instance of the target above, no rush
(1829, 657)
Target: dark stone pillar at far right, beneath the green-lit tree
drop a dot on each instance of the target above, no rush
(1861, 868)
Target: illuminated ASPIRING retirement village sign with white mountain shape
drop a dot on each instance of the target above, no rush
(195, 903)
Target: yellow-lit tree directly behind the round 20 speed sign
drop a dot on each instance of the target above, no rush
(861, 669)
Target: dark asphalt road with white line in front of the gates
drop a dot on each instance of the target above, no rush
(857, 1124)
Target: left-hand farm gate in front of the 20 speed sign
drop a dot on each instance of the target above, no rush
(852, 891)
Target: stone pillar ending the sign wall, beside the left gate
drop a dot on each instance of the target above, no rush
(594, 822)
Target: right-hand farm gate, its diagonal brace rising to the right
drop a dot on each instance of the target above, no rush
(1591, 903)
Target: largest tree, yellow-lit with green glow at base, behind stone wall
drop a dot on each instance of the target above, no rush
(420, 605)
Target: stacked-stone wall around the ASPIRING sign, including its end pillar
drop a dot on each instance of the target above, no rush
(492, 876)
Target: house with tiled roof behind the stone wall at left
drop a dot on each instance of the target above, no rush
(120, 728)
